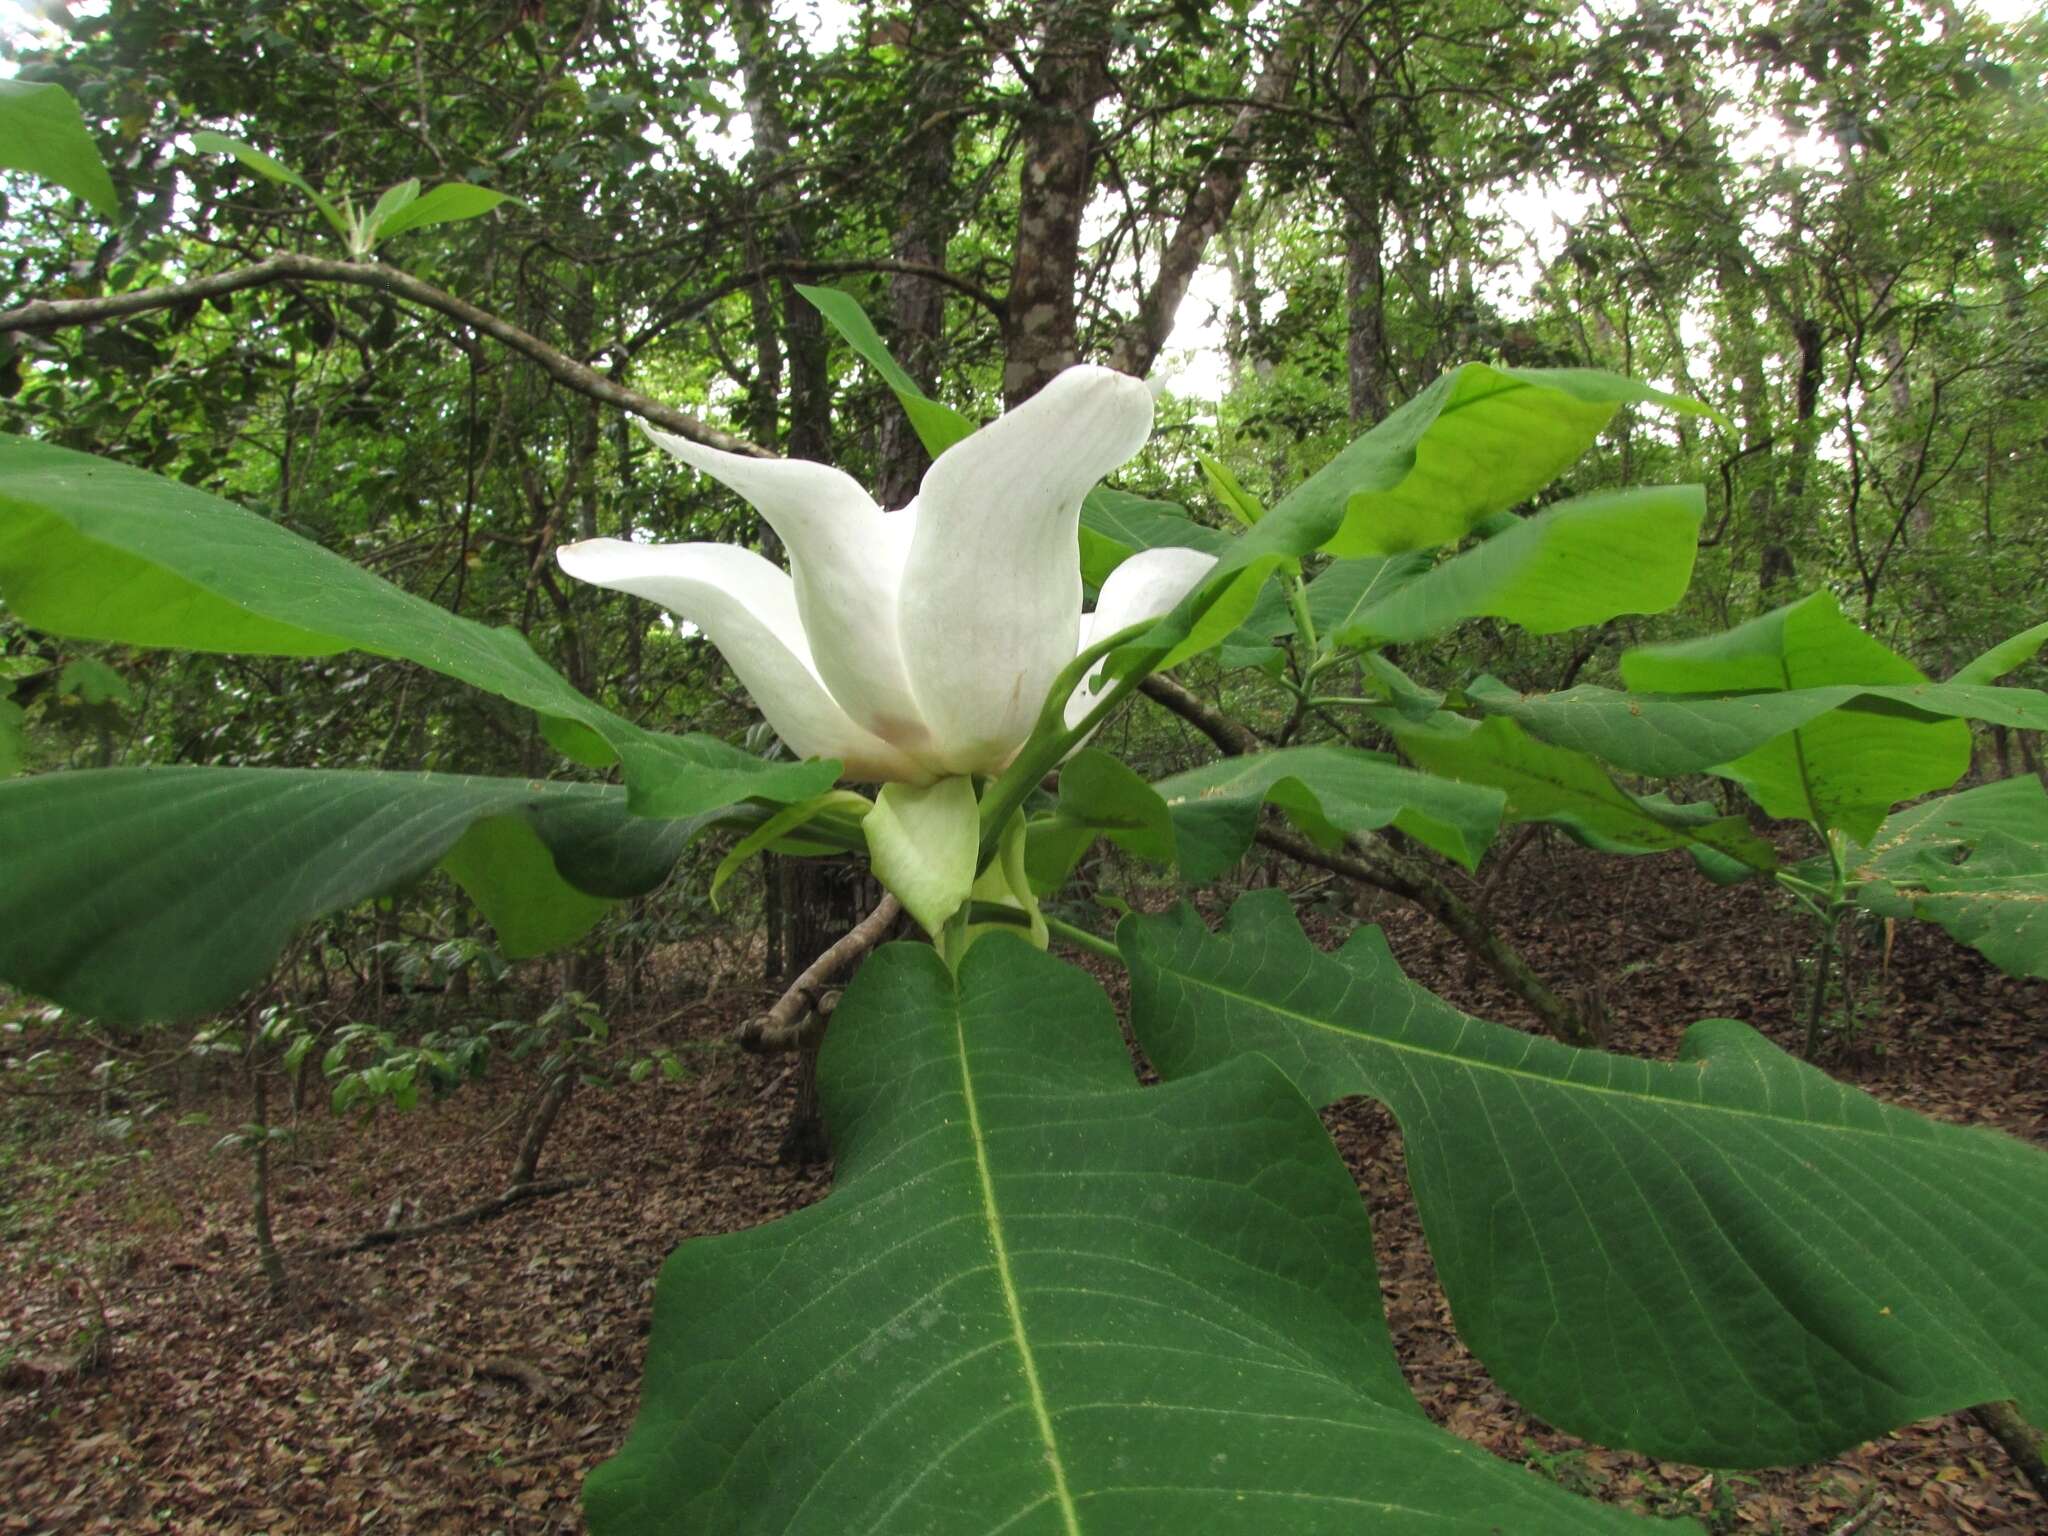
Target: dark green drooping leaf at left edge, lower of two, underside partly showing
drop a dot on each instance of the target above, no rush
(167, 892)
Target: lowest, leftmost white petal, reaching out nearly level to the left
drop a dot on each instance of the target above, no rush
(746, 609)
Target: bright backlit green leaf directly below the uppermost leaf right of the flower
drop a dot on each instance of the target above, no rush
(1574, 564)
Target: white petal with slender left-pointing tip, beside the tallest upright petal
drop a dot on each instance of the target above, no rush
(847, 558)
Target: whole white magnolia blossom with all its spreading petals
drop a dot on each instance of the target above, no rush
(916, 644)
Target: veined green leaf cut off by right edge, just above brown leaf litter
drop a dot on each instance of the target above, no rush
(1975, 863)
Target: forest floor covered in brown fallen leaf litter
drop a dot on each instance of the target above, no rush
(466, 1383)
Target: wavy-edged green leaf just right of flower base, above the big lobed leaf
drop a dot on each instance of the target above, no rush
(1328, 794)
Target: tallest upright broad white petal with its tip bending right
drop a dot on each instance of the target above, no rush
(992, 591)
